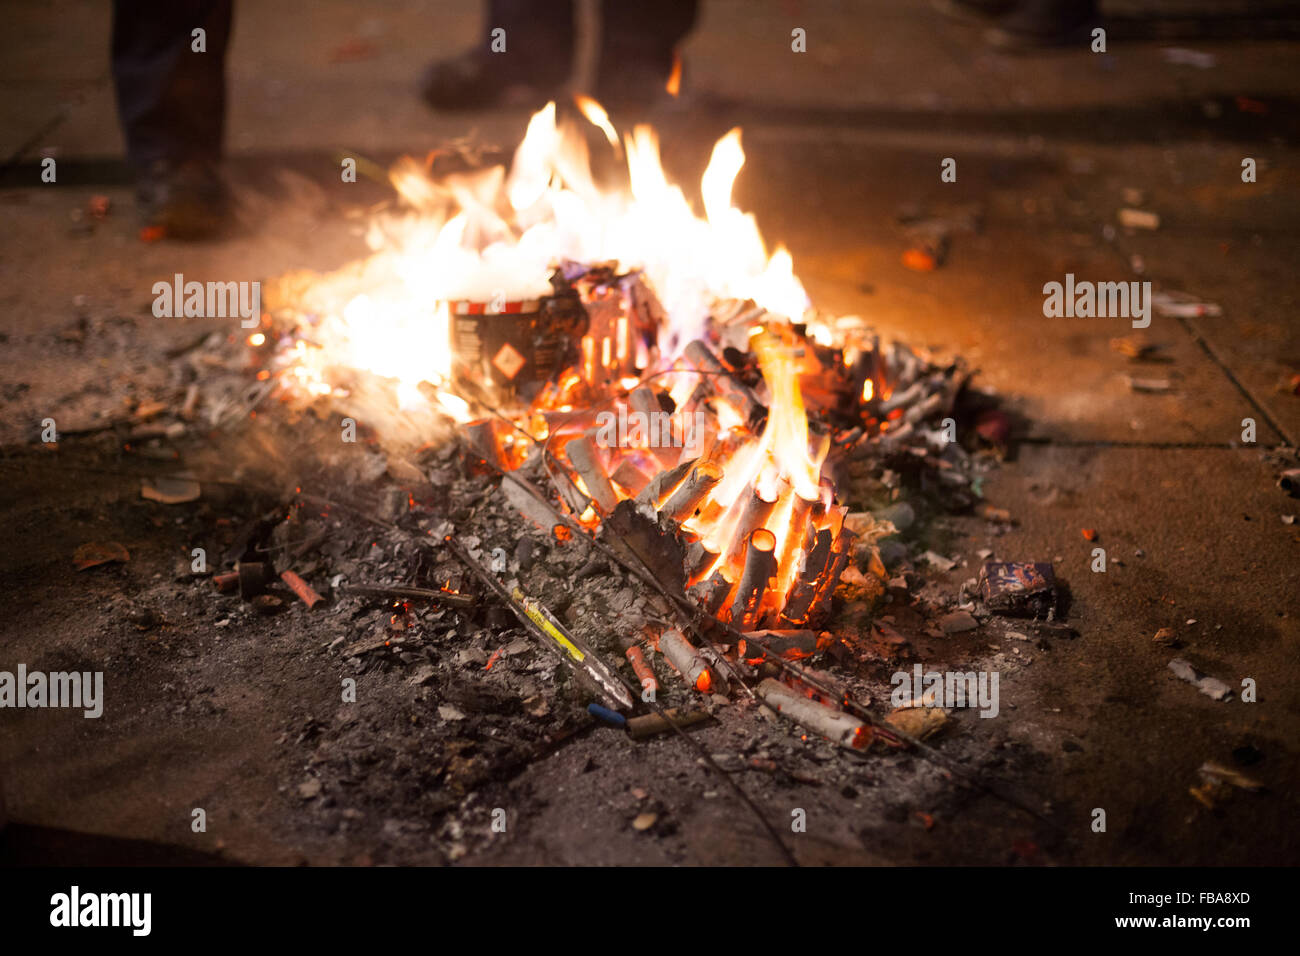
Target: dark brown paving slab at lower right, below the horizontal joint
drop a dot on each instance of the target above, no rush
(1204, 552)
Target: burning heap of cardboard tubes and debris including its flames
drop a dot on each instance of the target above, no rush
(651, 390)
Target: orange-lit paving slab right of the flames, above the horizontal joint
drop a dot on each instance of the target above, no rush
(1042, 222)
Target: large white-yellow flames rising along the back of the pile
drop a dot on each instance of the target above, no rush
(497, 235)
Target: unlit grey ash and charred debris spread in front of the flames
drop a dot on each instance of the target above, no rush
(378, 561)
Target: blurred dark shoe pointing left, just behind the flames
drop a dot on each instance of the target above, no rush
(476, 81)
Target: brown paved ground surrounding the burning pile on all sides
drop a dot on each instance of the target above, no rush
(236, 717)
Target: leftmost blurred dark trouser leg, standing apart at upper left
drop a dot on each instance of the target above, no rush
(171, 101)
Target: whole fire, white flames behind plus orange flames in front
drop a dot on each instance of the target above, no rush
(487, 243)
